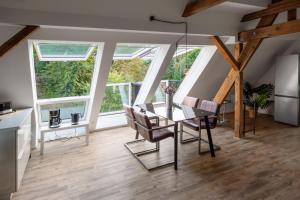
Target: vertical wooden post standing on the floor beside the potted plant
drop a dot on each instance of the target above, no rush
(238, 106)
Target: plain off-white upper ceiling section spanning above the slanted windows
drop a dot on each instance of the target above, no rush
(127, 14)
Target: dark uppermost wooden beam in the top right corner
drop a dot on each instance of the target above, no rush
(274, 8)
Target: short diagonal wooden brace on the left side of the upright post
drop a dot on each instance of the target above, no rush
(225, 52)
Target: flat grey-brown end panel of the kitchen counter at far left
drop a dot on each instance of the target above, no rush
(7, 161)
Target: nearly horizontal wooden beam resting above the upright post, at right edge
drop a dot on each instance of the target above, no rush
(271, 31)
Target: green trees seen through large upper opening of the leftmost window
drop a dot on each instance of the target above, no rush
(56, 79)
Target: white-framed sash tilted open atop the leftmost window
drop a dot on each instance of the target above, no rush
(51, 51)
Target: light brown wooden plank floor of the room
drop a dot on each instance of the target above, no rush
(264, 166)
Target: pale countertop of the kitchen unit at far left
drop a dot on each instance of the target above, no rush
(14, 120)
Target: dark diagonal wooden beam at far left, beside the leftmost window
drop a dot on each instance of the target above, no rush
(14, 40)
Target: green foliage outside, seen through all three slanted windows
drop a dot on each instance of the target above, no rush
(56, 79)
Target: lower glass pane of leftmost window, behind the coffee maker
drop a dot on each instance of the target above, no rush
(65, 110)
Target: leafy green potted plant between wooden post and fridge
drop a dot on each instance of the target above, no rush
(258, 97)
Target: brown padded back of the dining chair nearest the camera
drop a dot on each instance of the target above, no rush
(144, 126)
